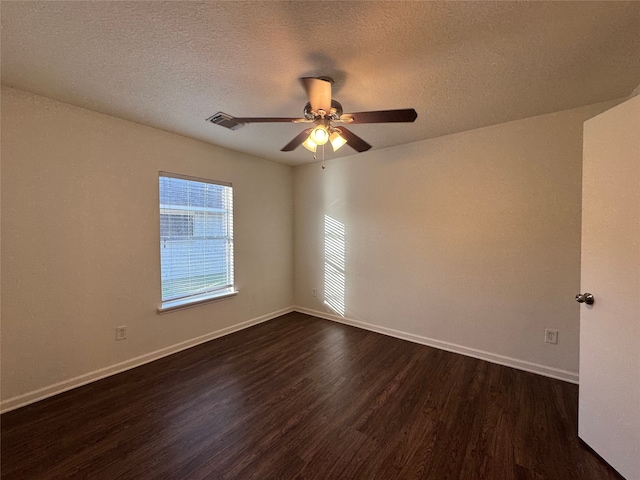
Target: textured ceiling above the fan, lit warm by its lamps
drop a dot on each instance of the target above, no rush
(461, 65)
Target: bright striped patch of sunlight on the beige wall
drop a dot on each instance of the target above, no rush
(334, 265)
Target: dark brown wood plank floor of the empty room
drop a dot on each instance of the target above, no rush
(304, 398)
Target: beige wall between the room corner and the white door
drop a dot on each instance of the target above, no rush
(469, 242)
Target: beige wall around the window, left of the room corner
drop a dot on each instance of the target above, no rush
(80, 246)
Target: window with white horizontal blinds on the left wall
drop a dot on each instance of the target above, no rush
(196, 240)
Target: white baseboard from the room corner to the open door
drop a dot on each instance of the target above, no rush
(551, 372)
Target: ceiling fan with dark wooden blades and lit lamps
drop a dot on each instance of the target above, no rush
(323, 112)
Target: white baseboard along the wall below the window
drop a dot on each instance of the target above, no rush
(51, 390)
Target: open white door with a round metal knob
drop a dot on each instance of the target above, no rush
(609, 407)
